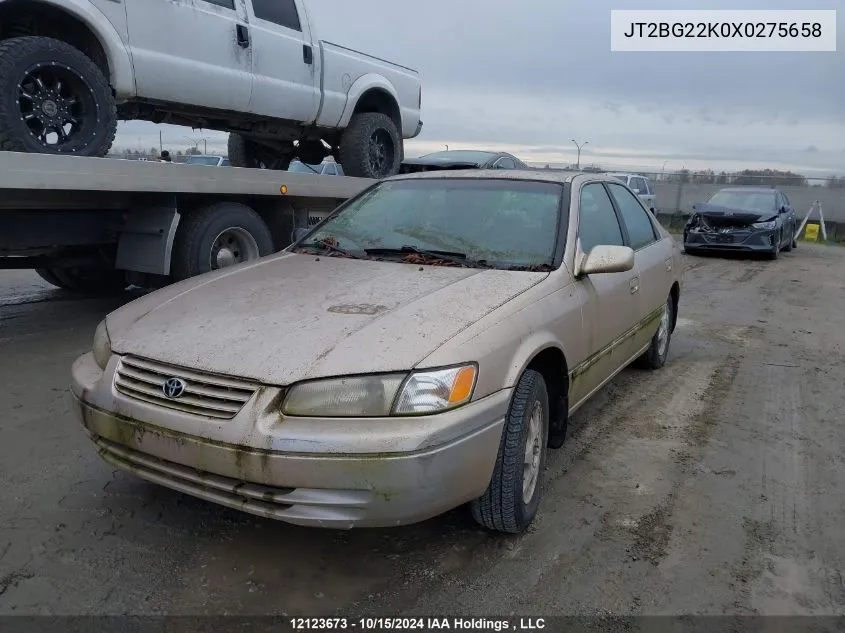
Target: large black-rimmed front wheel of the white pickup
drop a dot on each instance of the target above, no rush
(53, 100)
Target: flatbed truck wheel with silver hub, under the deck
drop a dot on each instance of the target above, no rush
(218, 236)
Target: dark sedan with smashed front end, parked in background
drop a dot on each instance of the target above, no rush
(749, 219)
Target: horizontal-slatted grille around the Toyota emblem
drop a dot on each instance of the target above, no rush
(205, 394)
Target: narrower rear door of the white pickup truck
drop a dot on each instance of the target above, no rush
(285, 64)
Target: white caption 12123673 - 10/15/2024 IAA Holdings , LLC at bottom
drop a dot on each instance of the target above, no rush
(432, 623)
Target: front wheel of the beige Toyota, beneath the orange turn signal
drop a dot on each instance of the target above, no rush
(503, 506)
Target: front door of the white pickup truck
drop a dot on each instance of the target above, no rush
(191, 51)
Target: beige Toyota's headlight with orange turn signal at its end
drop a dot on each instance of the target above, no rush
(416, 393)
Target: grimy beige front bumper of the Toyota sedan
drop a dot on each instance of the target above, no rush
(313, 472)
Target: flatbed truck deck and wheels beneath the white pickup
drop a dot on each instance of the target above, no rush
(100, 224)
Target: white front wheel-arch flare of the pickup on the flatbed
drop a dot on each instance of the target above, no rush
(122, 77)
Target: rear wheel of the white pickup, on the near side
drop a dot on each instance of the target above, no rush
(371, 147)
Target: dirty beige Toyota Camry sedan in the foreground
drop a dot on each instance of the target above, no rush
(419, 350)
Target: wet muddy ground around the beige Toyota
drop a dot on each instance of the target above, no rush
(716, 485)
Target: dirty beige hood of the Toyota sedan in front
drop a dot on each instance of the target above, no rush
(293, 317)
